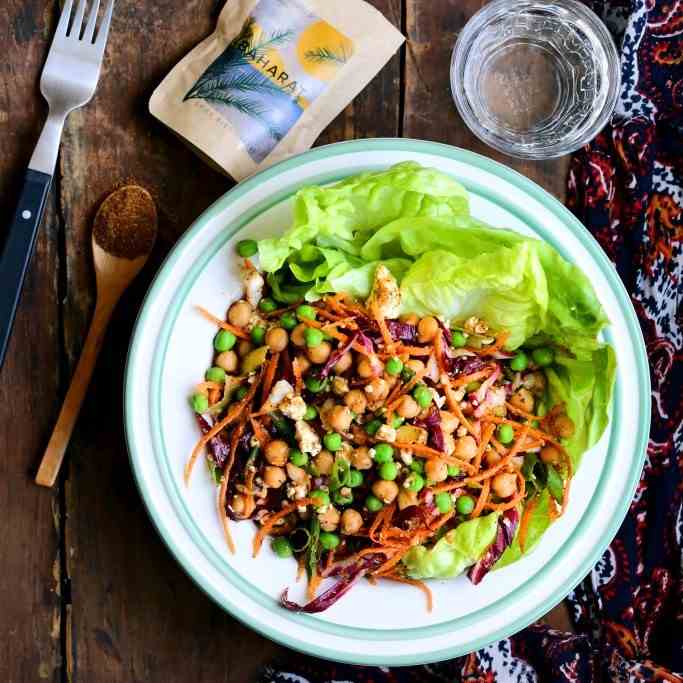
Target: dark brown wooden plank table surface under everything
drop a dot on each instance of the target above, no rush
(88, 592)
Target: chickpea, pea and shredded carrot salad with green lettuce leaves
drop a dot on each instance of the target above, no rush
(402, 392)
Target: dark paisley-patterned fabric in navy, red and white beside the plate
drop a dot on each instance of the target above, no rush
(627, 188)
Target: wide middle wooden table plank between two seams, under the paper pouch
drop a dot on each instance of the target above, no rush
(135, 615)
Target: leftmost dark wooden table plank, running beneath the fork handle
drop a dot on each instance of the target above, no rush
(30, 615)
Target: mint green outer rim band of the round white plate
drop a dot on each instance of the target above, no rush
(550, 203)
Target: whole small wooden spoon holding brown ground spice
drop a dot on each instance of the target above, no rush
(124, 232)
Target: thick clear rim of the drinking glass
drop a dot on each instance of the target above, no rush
(583, 134)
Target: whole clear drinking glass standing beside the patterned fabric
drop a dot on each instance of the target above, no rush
(533, 78)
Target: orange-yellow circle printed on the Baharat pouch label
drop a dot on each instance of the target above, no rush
(322, 50)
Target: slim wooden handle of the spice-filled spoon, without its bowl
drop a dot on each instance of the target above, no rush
(61, 434)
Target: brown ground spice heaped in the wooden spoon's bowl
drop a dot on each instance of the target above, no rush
(126, 222)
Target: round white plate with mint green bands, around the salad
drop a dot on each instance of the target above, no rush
(388, 623)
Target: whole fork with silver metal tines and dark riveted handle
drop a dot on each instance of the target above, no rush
(68, 82)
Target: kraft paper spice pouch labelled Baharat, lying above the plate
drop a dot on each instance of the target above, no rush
(271, 77)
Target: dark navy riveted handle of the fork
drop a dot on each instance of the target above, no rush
(18, 247)
